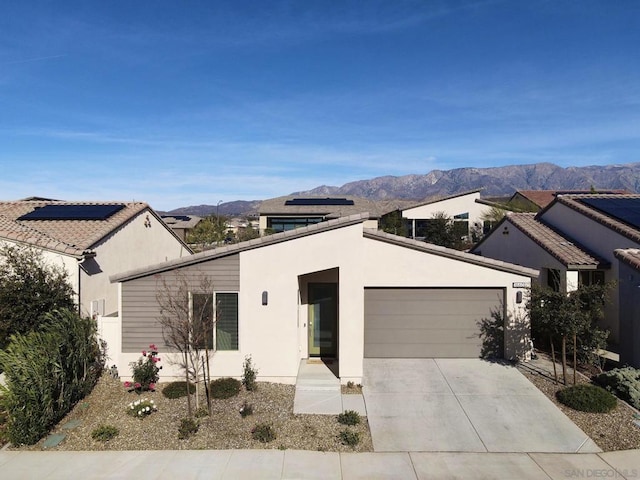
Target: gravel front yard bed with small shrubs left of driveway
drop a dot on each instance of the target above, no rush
(224, 429)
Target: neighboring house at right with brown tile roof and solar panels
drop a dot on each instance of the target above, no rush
(572, 241)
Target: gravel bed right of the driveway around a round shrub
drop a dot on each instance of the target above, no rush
(611, 431)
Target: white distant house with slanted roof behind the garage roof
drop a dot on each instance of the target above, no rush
(463, 209)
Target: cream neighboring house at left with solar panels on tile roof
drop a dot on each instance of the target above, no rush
(91, 240)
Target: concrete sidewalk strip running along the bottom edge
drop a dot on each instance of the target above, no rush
(293, 464)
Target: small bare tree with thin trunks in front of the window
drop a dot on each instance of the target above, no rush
(187, 319)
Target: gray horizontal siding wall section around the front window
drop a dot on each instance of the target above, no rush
(140, 309)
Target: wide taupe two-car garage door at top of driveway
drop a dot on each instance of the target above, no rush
(427, 322)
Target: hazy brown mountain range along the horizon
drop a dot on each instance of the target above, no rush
(494, 182)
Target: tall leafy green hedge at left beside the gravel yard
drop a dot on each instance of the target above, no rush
(47, 373)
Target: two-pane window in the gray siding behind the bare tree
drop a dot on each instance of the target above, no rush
(225, 334)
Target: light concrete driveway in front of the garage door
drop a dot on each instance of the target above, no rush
(462, 405)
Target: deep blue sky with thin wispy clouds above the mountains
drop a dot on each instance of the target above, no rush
(185, 103)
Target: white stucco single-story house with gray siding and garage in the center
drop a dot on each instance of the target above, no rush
(337, 290)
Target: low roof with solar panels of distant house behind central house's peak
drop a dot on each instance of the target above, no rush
(375, 208)
